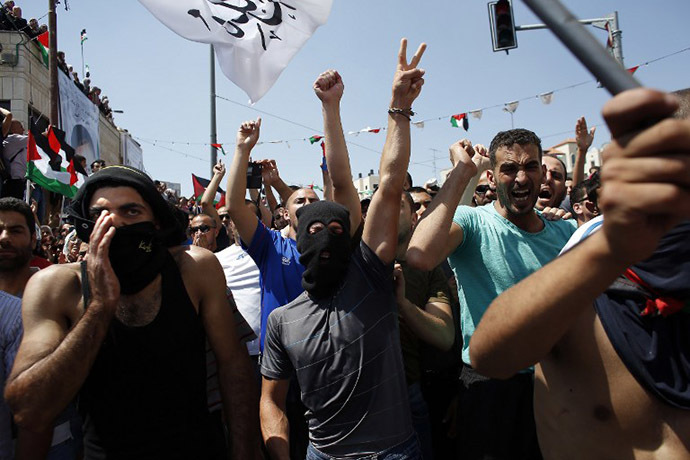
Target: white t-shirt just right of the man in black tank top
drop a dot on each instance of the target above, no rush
(242, 278)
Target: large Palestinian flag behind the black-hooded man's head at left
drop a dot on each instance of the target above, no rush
(44, 163)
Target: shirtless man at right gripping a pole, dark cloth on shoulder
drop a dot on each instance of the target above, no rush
(597, 396)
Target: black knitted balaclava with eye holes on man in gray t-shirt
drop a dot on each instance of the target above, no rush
(323, 275)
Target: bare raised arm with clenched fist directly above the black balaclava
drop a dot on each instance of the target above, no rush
(329, 89)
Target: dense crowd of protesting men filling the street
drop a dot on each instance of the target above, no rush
(506, 314)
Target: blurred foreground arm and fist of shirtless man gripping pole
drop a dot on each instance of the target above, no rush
(645, 193)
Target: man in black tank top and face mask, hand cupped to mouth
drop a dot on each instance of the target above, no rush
(126, 332)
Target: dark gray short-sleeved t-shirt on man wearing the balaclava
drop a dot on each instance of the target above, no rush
(345, 351)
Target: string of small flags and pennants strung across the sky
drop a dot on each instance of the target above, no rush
(456, 120)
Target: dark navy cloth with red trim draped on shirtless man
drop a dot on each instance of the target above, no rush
(654, 346)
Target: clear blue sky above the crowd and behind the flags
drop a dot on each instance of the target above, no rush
(161, 82)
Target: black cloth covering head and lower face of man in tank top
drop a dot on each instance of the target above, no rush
(137, 252)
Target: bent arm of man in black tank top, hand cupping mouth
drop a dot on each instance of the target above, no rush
(52, 363)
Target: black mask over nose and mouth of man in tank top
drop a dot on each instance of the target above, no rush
(137, 256)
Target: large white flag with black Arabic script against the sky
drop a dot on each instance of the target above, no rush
(254, 40)
